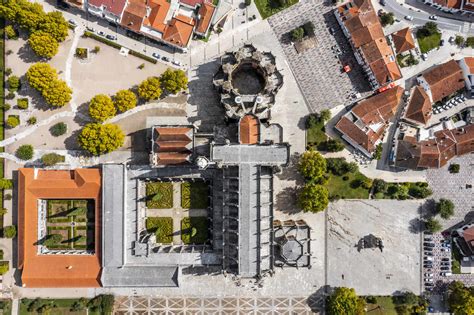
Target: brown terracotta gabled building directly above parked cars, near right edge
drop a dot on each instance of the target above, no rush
(442, 80)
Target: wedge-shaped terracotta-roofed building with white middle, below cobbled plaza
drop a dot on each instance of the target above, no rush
(364, 126)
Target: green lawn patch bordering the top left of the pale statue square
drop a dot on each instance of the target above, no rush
(338, 186)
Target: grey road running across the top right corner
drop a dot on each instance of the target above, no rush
(421, 16)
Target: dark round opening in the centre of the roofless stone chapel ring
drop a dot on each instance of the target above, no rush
(248, 79)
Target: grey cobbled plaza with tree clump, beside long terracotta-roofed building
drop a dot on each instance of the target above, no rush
(318, 70)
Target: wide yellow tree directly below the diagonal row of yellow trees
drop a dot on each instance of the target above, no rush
(98, 139)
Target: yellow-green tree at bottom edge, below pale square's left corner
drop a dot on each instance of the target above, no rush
(345, 301)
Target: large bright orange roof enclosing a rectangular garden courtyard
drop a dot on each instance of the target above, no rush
(49, 270)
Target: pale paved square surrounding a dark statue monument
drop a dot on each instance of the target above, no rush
(370, 271)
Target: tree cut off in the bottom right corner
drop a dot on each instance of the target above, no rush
(460, 298)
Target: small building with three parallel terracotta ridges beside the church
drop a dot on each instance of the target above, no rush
(171, 145)
